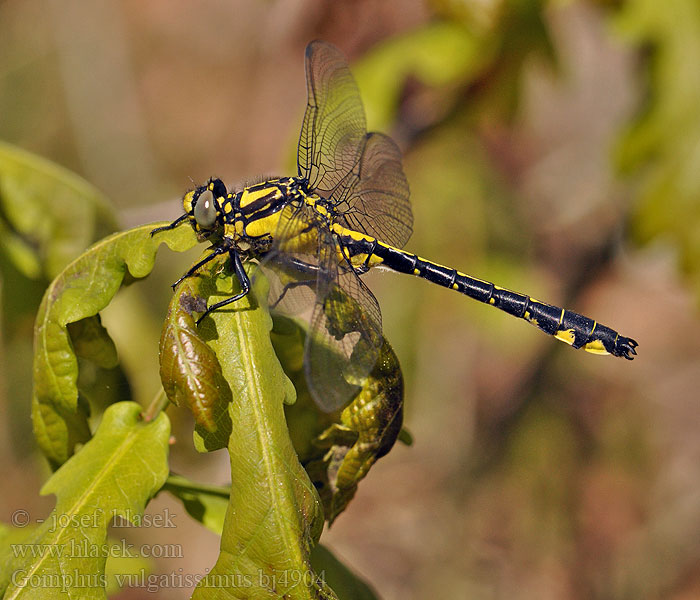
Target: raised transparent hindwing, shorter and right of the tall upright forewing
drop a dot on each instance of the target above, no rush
(373, 197)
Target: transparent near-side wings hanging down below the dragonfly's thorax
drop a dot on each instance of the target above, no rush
(309, 278)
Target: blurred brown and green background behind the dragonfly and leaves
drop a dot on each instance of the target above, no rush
(552, 147)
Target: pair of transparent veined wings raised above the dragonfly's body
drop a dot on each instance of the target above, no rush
(360, 173)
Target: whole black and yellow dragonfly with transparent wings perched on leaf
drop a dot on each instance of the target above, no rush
(346, 211)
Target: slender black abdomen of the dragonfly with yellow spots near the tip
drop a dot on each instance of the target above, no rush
(570, 327)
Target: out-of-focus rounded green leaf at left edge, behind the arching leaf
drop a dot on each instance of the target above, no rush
(48, 215)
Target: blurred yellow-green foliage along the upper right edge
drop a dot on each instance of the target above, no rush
(662, 147)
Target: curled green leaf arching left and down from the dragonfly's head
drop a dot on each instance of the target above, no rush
(80, 291)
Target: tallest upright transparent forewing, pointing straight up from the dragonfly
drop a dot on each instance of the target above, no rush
(334, 125)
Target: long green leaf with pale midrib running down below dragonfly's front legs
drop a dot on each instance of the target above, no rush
(274, 516)
